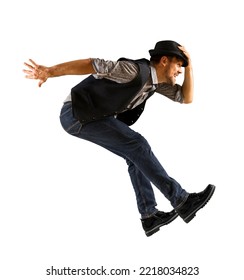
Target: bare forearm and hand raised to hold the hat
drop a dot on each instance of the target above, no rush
(188, 84)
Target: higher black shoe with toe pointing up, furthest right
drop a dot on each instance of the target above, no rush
(195, 202)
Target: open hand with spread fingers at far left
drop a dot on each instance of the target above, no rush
(37, 72)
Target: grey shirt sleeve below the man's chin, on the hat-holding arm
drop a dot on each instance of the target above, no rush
(172, 92)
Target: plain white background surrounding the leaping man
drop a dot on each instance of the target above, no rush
(66, 202)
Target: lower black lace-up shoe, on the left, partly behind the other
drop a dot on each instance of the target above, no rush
(153, 223)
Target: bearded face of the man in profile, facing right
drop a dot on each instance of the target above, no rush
(172, 70)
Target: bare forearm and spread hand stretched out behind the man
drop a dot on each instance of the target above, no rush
(42, 73)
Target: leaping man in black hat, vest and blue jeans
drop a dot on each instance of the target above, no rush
(101, 108)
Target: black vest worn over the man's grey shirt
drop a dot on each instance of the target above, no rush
(93, 99)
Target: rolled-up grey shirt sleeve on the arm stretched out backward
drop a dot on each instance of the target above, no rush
(118, 71)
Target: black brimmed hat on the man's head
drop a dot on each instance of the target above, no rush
(169, 48)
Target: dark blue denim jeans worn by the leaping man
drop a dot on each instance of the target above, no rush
(143, 166)
